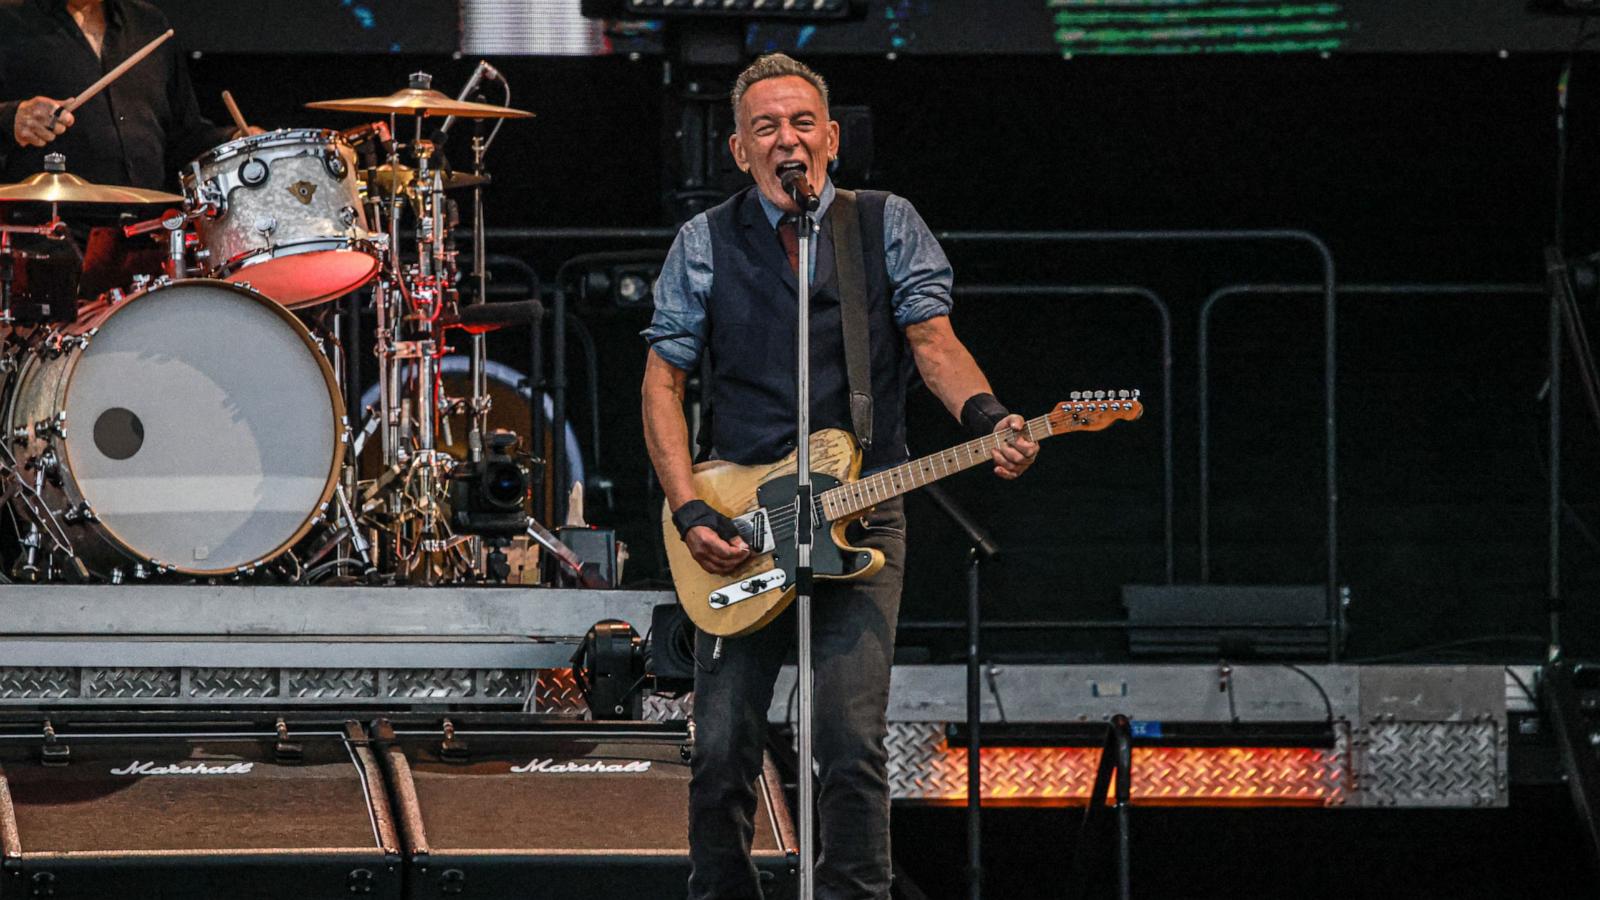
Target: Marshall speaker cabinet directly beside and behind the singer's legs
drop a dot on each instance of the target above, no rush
(554, 811)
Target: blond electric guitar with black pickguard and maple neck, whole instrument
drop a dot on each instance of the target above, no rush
(761, 500)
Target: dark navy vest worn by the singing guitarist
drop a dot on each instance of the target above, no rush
(751, 345)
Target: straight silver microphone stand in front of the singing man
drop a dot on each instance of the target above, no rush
(806, 524)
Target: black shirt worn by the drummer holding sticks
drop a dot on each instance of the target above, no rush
(140, 132)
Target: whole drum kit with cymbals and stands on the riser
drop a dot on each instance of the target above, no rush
(191, 424)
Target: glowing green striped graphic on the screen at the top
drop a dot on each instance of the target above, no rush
(1196, 26)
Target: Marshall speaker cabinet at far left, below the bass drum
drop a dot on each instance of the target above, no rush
(194, 811)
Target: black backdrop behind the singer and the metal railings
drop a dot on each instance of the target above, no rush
(1414, 169)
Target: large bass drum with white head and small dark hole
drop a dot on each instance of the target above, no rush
(191, 428)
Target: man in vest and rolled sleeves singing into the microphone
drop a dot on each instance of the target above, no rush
(727, 297)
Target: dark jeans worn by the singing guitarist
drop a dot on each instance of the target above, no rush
(852, 646)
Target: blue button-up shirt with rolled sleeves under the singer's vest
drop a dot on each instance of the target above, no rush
(919, 275)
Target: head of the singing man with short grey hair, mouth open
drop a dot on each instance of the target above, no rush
(783, 121)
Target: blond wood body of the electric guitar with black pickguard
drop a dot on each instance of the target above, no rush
(742, 603)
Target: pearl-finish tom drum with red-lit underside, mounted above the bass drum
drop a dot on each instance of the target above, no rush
(289, 215)
